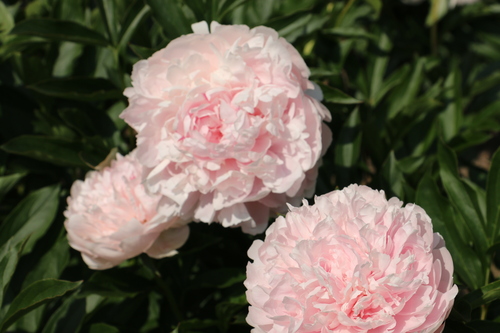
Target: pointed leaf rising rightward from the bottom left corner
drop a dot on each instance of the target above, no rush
(33, 296)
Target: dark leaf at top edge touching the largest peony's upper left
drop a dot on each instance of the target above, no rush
(171, 17)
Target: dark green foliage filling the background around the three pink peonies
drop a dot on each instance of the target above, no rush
(414, 94)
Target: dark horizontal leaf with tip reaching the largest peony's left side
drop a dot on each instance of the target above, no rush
(82, 89)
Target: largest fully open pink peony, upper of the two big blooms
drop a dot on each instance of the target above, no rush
(227, 124)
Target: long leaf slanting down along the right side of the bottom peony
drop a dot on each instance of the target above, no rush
(467, 264)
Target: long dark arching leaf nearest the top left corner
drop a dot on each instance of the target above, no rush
(59, 30)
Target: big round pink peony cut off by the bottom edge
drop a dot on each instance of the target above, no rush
(353, 262)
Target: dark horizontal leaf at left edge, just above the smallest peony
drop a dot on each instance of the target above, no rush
(53, 150)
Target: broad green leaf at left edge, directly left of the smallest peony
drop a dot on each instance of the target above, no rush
(31, 217)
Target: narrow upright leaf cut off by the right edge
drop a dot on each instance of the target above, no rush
(493, 197)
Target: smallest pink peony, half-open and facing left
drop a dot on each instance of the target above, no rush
(111, 218)
